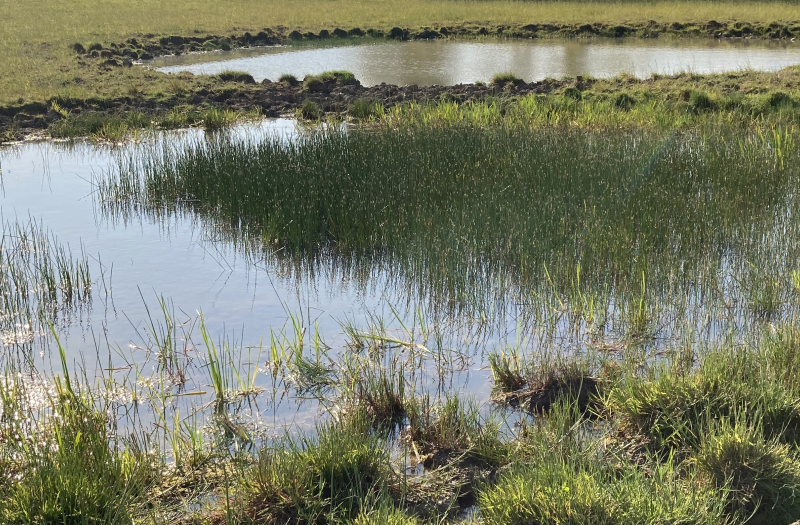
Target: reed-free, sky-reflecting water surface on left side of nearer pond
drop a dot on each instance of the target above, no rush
(136, 261)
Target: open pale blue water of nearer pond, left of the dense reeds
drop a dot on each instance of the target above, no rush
(136, 262)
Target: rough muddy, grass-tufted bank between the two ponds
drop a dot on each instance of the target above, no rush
(331, 96)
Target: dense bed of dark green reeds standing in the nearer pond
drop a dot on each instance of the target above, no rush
(634, 235)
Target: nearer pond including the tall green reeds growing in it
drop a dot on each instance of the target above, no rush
(290, 256)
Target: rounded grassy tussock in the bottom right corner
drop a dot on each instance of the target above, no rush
(758, 476)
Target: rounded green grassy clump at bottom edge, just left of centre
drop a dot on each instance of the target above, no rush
(326, 478)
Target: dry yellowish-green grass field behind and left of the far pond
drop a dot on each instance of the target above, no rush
(38, 64)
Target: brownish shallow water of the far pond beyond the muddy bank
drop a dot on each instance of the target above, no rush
(446, 62)
